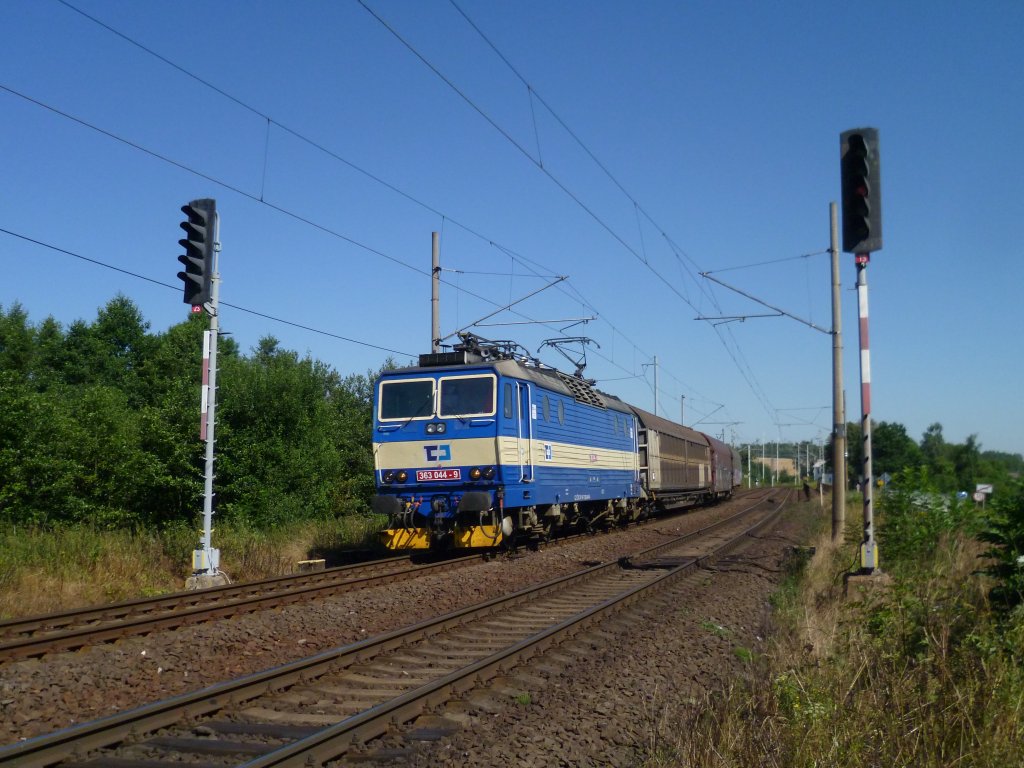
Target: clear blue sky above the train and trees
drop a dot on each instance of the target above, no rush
(629, 146)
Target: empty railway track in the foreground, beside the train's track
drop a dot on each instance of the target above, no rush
(324, 707)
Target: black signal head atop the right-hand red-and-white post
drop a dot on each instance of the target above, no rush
(861, 173)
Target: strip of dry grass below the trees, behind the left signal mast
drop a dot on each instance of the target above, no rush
(42, 572)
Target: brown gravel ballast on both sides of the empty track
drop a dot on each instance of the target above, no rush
(596, 702)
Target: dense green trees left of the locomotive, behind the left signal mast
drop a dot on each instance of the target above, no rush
(100, 424)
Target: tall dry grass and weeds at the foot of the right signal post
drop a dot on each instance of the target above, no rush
(920, 674)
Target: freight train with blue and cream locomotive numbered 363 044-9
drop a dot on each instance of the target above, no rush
(485, 447)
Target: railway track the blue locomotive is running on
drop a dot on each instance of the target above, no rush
(36, 636)
